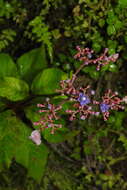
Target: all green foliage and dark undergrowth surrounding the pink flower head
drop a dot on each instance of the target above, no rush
(37, 44)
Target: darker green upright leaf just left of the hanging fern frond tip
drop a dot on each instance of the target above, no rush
(31, 63)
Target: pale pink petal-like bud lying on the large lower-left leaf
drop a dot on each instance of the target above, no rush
(35, 137)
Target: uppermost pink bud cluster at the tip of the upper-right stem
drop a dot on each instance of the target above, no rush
(86, 55)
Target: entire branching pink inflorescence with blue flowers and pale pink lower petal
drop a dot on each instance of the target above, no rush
(82, 99)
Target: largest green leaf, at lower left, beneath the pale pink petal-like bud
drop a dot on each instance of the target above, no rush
(15, 143)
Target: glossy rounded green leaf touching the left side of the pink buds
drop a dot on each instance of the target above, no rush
(47, 81)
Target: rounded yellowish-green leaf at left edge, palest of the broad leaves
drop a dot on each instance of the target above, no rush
(13, 89)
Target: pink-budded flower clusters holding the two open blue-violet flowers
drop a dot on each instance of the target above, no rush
(83, 102)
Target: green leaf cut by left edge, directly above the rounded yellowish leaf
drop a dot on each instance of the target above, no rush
(7, 66)
